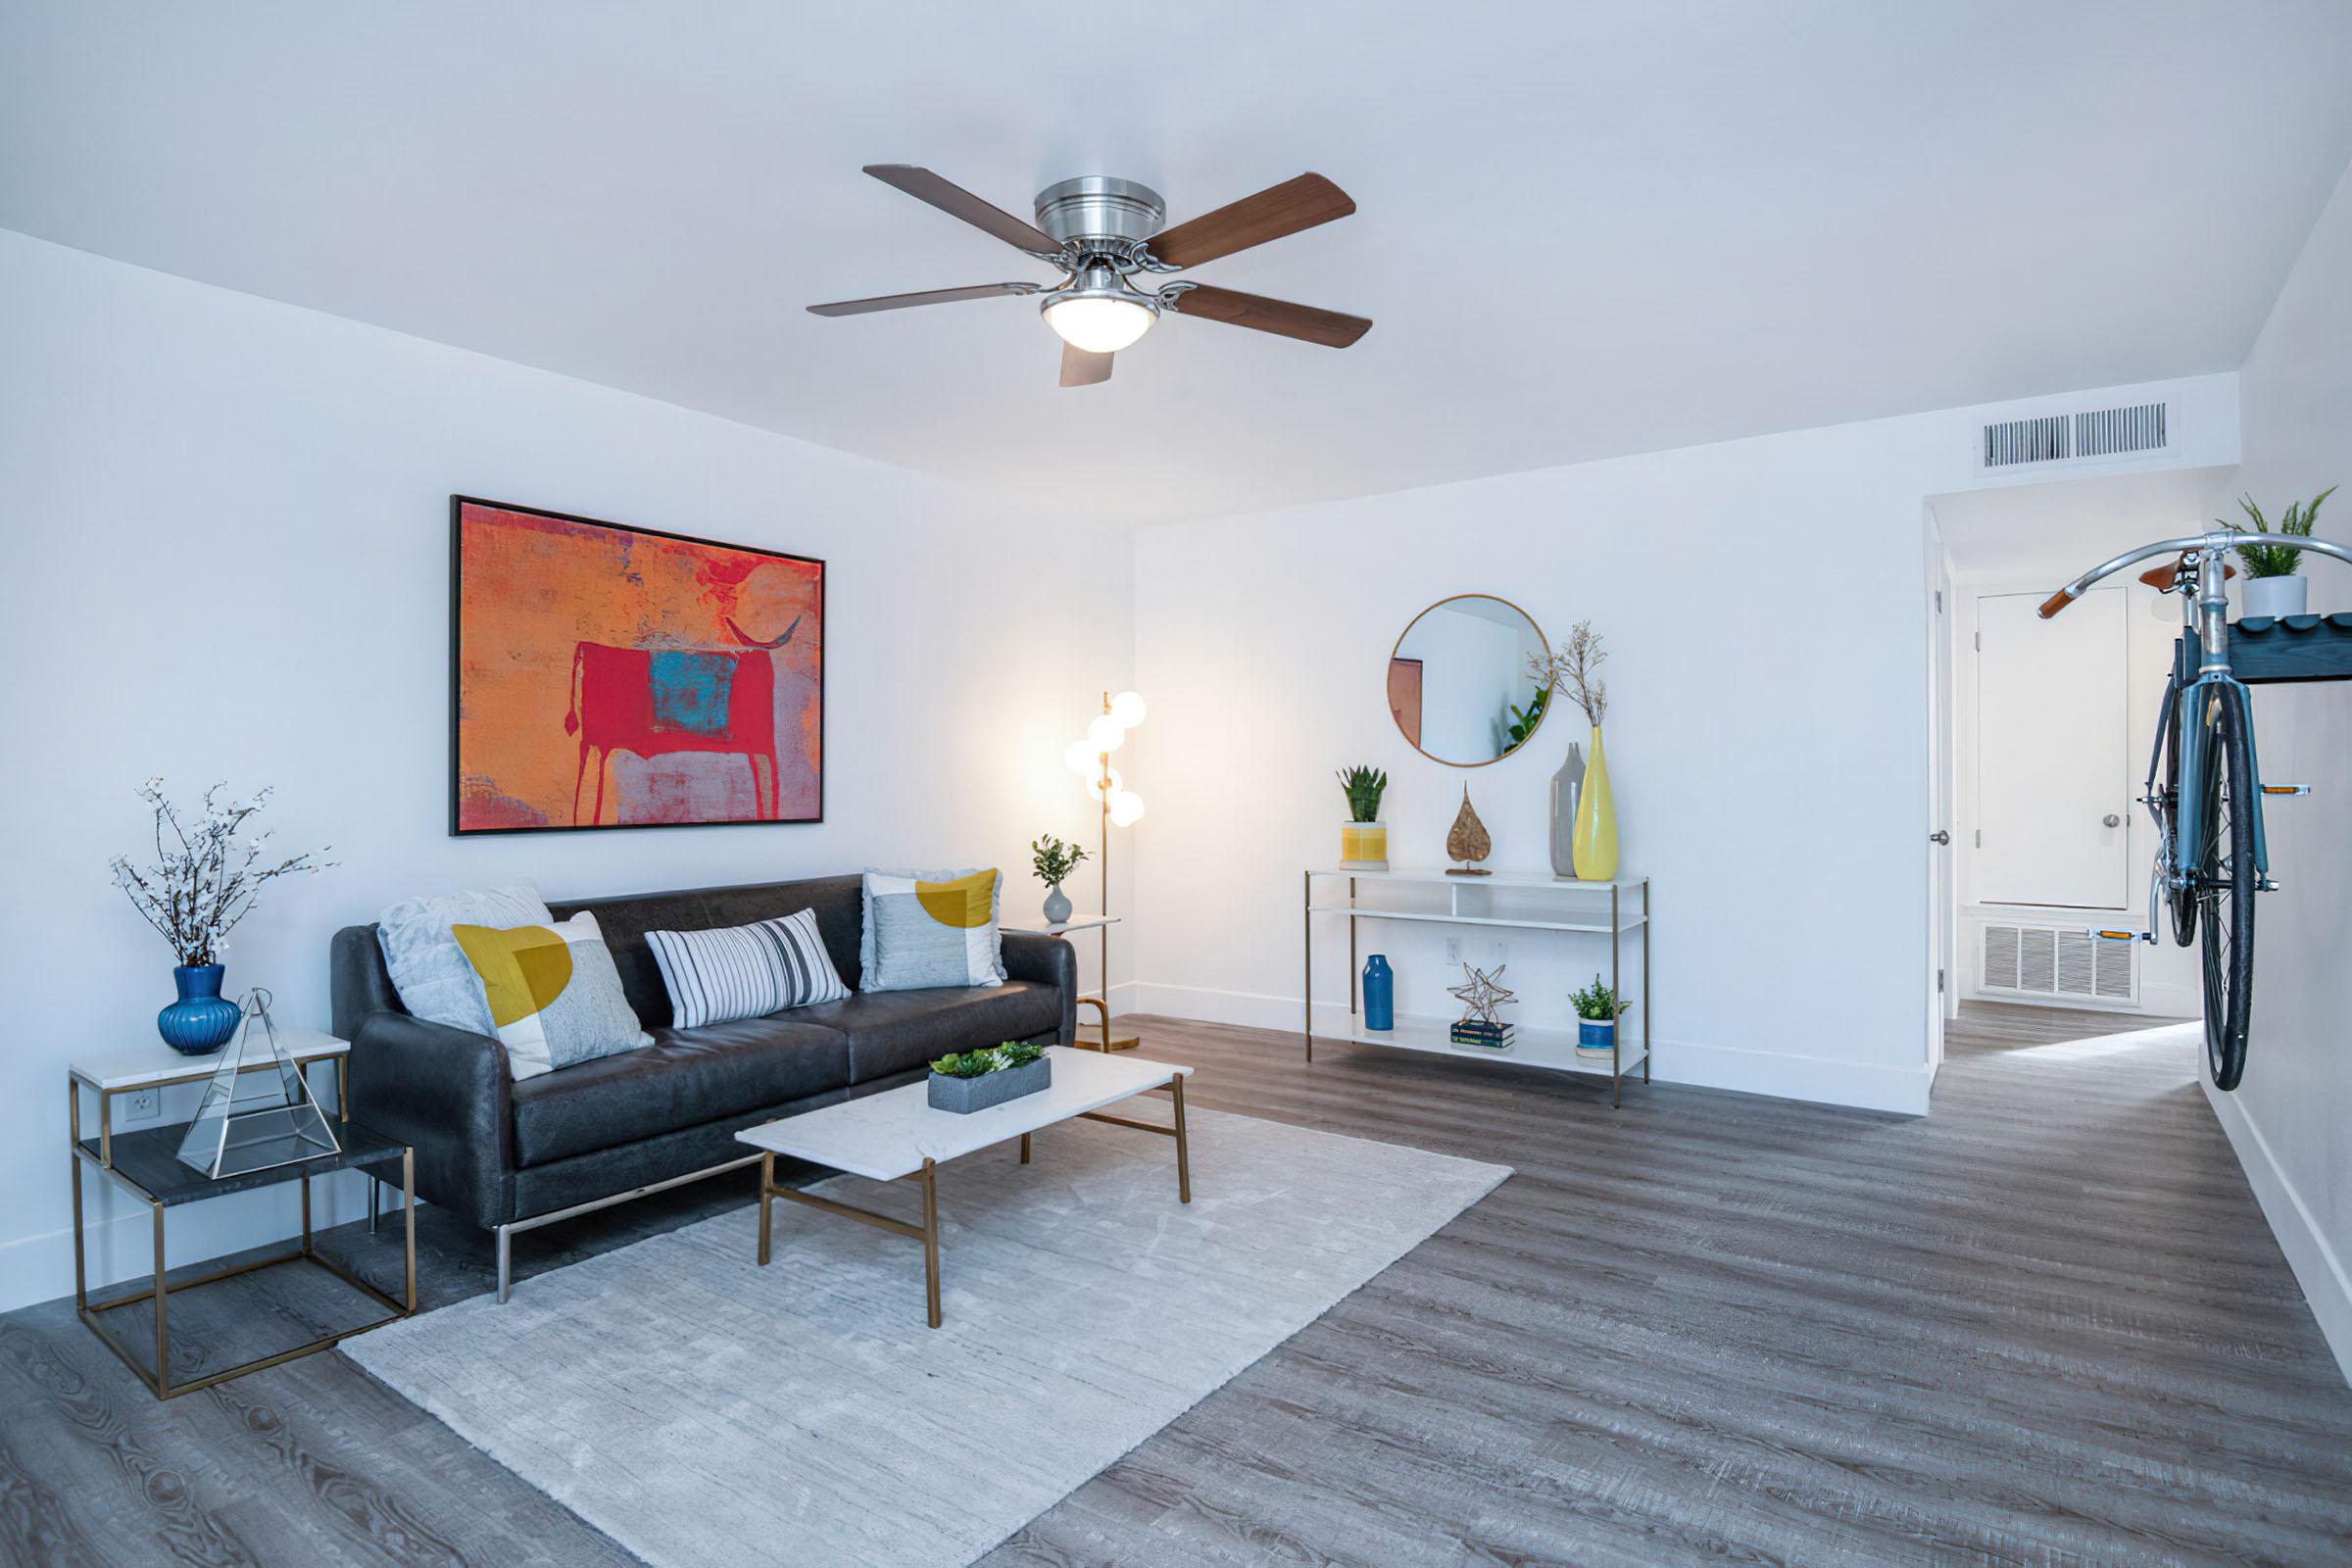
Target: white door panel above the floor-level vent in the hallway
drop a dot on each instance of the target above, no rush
(2052, 768)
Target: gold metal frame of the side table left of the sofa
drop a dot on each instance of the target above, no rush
(161, 1289)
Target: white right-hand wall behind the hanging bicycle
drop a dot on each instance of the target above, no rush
(2292, 1115)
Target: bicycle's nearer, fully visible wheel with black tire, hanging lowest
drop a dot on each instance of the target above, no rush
(2229, 880)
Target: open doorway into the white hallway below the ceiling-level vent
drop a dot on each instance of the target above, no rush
(2038, 749)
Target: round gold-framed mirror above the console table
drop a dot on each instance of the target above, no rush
(1459, 681)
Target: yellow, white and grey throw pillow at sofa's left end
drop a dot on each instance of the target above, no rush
(554, 993)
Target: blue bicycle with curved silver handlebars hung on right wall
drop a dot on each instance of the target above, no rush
(2205, 786)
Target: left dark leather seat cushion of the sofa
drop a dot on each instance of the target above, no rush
(681, 1080)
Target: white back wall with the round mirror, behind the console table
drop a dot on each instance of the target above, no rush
(1765, 617)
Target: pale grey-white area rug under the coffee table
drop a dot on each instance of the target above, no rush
(707, 1412)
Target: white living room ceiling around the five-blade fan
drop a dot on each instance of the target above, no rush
(1584, 229)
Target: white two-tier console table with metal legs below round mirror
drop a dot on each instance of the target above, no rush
(1584, 909)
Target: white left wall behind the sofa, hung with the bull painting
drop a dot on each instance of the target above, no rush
(229, 558)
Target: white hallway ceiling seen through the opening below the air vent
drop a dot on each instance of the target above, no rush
(2054, 532)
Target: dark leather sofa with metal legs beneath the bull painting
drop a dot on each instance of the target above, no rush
(514, 1155)
